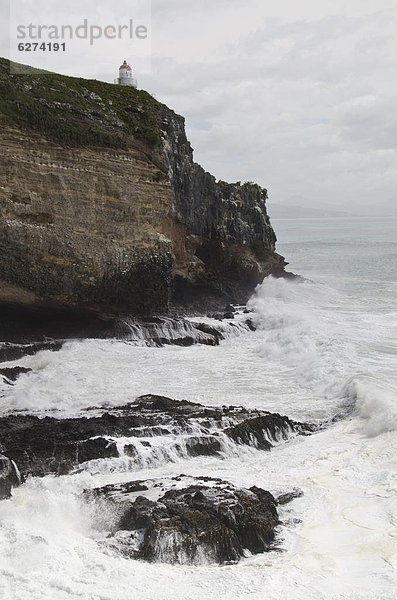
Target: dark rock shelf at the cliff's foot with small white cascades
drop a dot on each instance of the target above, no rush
(30, 332)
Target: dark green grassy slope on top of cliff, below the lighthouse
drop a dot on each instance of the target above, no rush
(79, 112)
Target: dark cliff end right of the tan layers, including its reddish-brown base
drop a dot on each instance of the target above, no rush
(227, 226)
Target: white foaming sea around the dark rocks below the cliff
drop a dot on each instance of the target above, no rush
(324, 347)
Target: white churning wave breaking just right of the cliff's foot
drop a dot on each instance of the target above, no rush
(308, 328)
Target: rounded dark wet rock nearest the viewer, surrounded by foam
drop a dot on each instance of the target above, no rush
(194, 521)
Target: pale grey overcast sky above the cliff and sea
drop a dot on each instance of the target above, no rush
(297, 95)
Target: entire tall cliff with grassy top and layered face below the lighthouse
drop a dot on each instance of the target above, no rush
(102, 205)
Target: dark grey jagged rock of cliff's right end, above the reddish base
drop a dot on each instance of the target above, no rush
(229, 212)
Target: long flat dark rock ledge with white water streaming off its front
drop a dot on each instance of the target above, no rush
(40, 446)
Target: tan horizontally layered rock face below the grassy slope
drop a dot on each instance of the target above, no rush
(69, 231)
